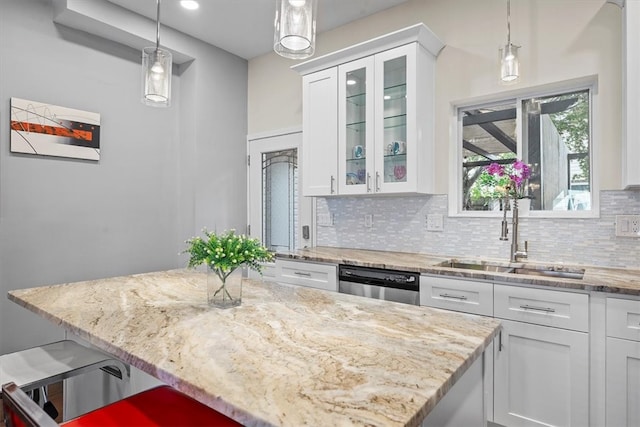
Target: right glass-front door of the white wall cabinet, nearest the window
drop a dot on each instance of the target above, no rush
(395, 120)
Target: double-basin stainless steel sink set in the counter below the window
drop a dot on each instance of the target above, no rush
(530, 270)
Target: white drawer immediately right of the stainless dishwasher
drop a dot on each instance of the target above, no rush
(457, 294)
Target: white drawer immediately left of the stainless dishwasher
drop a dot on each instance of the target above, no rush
(313, 275)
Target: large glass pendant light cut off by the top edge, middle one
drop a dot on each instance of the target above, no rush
(295, 28)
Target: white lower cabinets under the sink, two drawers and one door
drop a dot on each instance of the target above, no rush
(540, 370)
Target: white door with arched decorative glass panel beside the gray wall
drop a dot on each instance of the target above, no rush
(278, 214)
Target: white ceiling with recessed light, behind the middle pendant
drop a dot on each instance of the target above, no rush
(245, 27)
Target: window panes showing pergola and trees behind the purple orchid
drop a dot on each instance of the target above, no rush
(555, 133)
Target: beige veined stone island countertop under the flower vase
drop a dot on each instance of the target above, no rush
(287, 356)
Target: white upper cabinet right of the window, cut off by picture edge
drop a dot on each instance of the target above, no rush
(631, 94)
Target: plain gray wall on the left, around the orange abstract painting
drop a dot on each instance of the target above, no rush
(163, 173)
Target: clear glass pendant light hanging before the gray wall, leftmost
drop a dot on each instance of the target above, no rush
(156, 72)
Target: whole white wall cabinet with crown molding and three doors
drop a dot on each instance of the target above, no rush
(381, 113)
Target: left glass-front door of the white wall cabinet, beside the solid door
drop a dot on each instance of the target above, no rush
(355, 126)
